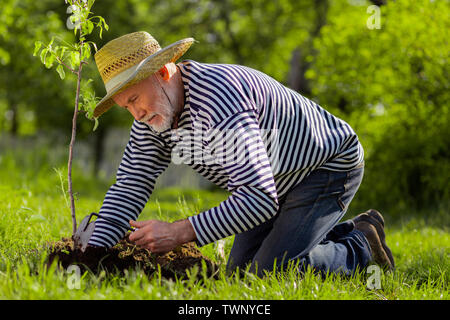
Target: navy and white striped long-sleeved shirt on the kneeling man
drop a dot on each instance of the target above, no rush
(243, 131)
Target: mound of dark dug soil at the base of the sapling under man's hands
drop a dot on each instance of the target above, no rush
(125, 255)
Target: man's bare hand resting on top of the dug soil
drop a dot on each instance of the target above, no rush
(159, 236)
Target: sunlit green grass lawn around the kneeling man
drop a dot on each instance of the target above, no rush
(33, 210)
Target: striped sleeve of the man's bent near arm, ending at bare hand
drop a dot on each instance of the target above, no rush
(236, 145)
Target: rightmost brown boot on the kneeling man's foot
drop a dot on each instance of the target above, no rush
(371, 224)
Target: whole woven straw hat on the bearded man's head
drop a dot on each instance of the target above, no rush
(131, 58)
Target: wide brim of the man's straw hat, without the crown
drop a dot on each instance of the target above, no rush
(143, 69)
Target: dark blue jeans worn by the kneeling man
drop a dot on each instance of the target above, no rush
(307, 229)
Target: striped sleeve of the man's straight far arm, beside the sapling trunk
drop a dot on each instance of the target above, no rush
(145, 158)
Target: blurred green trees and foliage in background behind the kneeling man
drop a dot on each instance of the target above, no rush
(389, 81)
